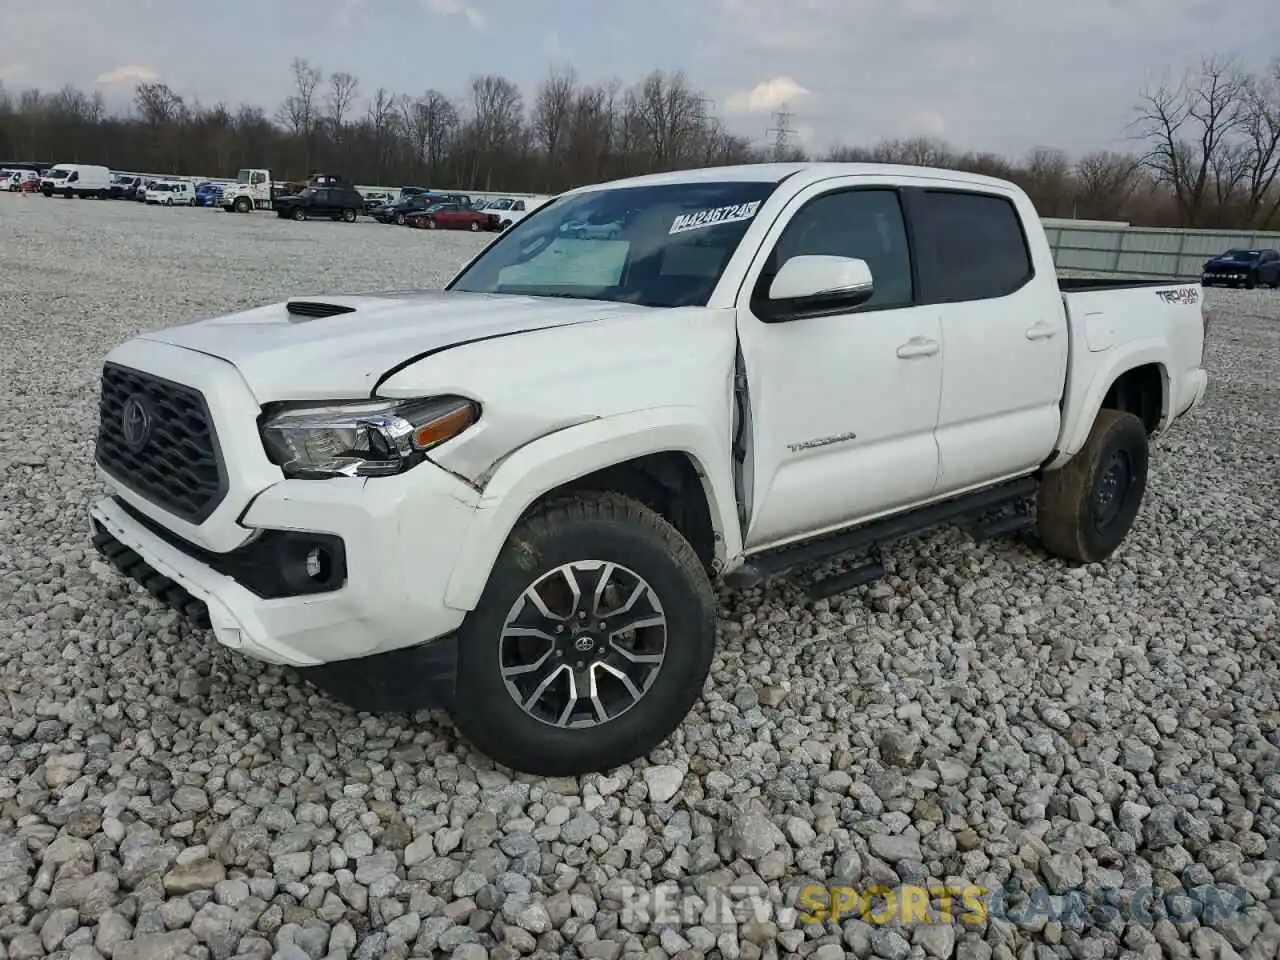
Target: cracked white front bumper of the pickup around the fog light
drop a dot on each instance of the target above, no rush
(400, 540)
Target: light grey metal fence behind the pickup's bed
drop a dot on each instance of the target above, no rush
(1119, 250)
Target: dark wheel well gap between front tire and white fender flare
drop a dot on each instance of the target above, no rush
(670, 483)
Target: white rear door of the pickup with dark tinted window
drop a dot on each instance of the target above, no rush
(1004, 335)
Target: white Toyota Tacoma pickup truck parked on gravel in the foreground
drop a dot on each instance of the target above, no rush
(510, 499)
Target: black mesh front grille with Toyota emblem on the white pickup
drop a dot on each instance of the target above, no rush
(177, 465)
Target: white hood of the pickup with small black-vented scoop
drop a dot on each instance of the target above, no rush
(284, 355)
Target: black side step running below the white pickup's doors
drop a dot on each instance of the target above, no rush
(879, 533)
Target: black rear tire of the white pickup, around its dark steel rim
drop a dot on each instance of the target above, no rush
(1067, 504)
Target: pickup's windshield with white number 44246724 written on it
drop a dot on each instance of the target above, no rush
(661, 246)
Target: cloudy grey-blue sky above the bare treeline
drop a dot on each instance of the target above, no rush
(1003, 76)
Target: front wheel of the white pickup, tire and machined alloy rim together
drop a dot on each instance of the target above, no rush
(591, 643)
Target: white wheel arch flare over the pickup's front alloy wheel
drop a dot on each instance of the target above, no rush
(660, 458)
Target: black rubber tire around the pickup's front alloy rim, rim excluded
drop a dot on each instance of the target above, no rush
(601, 527)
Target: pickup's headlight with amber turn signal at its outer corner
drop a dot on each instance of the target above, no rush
(371, 438)
